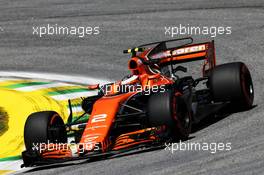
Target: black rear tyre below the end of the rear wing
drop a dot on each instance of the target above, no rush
(232, 82)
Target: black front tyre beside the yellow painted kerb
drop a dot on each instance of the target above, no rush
(44, 127)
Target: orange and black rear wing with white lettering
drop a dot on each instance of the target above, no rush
(186, 53)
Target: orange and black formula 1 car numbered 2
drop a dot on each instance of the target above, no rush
(146, 109)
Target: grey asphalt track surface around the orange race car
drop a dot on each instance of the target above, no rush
(128, 23)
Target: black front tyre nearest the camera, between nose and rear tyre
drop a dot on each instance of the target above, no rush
(167, 109)
